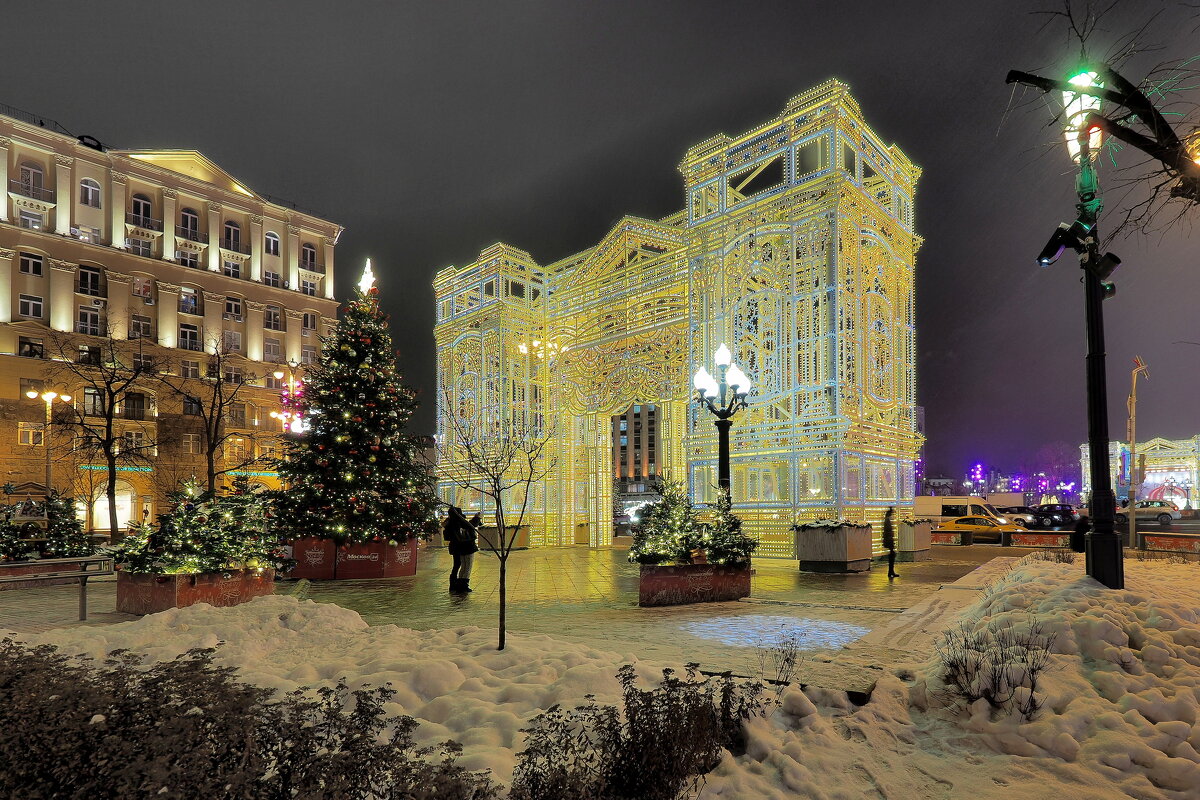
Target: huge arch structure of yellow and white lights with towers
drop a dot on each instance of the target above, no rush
(796, 248)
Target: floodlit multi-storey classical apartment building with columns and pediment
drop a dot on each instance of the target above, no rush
(172, 257)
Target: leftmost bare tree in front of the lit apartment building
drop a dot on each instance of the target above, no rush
(112, 418)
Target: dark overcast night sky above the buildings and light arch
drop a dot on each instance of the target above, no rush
(434, 129)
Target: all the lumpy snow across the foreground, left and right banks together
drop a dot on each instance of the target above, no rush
(1120, 718)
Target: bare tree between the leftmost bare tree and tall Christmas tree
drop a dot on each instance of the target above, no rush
(212, 401)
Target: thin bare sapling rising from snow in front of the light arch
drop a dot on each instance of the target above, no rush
(502, 460)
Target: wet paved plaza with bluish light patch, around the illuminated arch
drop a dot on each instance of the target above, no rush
(591, 596)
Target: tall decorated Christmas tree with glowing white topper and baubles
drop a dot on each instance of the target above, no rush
(353, 474)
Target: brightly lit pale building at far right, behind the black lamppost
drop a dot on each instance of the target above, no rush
(1172, 470)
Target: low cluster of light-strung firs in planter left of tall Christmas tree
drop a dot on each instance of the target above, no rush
(206, 533)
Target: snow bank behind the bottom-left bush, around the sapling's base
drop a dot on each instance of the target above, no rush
(454, 682)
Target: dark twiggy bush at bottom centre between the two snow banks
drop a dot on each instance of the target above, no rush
(658, 749)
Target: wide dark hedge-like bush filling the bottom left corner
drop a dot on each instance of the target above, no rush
(185, 729)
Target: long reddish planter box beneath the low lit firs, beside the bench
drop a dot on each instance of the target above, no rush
(141, 593)
